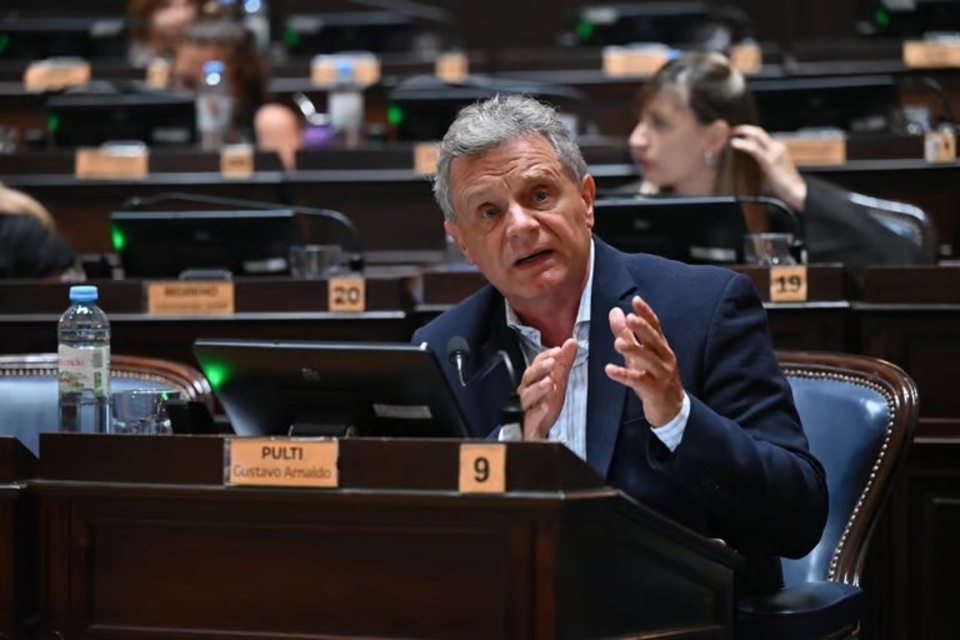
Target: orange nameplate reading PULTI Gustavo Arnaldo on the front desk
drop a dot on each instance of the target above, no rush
(281, 462)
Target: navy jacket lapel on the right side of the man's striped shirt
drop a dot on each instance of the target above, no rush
(612, 286)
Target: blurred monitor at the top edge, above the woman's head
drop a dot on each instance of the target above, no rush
(676, 24)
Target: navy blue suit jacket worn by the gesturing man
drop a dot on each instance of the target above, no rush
(743, 471)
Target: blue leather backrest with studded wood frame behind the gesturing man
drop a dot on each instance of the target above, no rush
(859, 416)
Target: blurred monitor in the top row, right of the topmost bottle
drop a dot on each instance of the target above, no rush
(373, 31)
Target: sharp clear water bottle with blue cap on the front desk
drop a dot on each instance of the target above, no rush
(83, 337)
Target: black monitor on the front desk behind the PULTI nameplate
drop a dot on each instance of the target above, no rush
(325, 388)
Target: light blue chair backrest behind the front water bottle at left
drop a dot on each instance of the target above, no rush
(28, 389)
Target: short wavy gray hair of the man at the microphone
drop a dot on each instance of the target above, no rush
(488, 124)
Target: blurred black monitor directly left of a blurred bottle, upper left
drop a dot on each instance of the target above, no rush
(92, 118)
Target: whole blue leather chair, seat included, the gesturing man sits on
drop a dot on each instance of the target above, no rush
(859, 415)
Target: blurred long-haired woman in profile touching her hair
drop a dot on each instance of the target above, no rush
(698, 135)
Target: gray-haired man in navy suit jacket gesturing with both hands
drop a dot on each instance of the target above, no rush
(660, 375)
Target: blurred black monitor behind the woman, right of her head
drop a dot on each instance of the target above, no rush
(850, 103)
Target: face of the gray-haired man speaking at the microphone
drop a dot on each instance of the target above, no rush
(523, 220)
